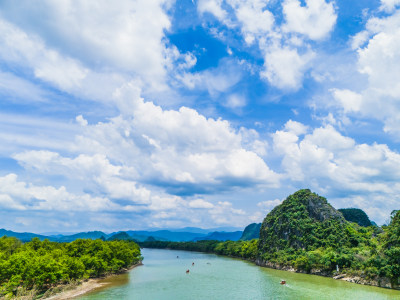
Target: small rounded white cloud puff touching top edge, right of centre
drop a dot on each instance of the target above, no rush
(315, 20)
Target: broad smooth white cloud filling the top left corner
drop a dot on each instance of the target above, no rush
(127, 35)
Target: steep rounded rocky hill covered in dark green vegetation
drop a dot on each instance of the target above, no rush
(303, 221)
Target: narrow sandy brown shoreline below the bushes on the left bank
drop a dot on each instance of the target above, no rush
(86, 286)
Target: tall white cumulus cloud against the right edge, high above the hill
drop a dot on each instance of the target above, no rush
(378, 49)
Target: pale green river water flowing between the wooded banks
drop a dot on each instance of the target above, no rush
(163, 276)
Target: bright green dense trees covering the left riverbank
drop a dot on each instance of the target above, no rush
(37, 266)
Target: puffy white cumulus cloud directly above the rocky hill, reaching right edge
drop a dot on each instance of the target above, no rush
(334, 165)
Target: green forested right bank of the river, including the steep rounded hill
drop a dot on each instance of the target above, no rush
(308, 235)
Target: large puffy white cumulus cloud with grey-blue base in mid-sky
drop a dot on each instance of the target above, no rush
(181, 150)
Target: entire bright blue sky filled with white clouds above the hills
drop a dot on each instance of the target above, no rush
(118, 115)
